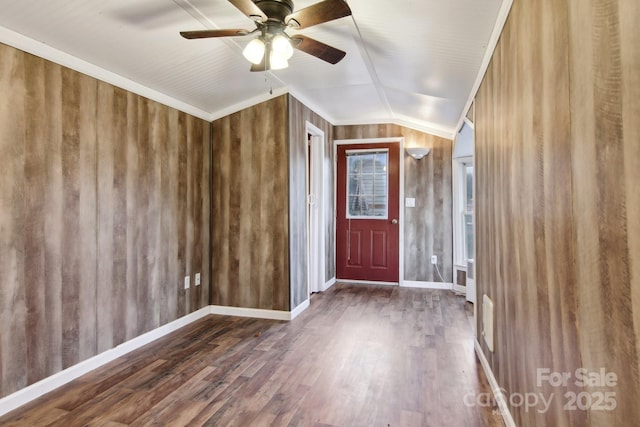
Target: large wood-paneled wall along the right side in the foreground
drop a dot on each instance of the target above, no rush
(557, 204)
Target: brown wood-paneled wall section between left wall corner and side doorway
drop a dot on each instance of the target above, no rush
(251, 208)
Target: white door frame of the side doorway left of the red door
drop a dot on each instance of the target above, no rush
(316, 255)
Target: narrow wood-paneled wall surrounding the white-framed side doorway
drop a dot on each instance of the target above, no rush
(299, 115)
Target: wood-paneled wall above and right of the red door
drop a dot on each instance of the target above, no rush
(428, 226)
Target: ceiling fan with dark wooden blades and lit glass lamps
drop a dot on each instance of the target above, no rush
(272, 48)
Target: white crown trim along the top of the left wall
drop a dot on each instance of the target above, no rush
(49, 53)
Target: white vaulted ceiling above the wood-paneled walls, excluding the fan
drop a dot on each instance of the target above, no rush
(411, 62)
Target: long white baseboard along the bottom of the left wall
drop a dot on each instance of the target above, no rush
(32, 392)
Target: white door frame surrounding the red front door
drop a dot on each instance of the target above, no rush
(400, 141)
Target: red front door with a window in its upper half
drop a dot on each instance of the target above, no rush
(367, 241)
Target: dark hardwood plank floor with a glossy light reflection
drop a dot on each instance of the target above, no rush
(359, 356)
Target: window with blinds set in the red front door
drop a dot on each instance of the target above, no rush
(367, 184)
